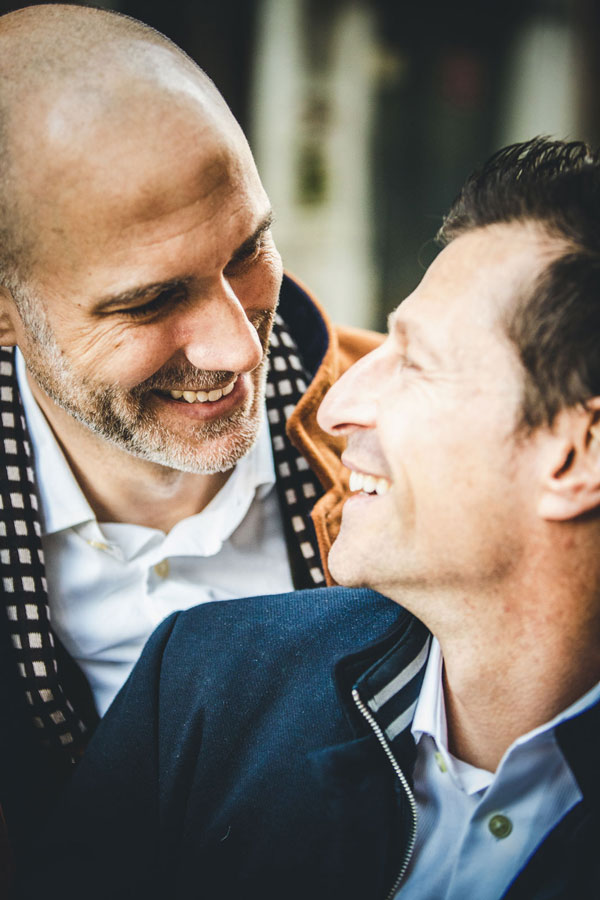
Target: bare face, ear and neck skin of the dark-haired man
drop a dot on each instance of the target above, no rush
(482, 531)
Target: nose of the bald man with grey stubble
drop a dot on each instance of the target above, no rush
(215, 333)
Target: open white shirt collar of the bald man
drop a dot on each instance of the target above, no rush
(65, 506)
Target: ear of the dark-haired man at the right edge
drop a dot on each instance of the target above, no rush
(571, 484)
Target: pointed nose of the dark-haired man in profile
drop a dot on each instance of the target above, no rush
(352, 401)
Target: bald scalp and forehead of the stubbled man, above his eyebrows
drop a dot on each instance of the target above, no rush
(107, 128)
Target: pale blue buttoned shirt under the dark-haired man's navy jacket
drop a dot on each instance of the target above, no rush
(477, 829)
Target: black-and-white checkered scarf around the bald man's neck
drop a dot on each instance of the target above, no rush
(22, 572)
